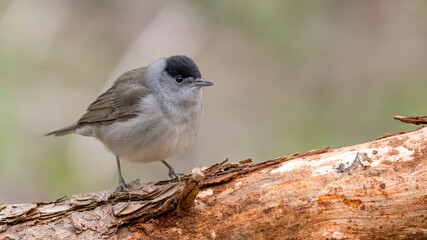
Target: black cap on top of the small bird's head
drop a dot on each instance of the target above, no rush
(182, 65)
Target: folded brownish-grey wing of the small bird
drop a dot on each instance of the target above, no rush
(120, 101)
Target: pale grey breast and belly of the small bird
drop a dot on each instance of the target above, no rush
(155, 134)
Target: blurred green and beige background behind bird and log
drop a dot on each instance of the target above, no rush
(290, 76)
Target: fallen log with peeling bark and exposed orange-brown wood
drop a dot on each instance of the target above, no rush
(374, 190)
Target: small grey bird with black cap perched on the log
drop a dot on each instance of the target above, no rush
(149, 114)
